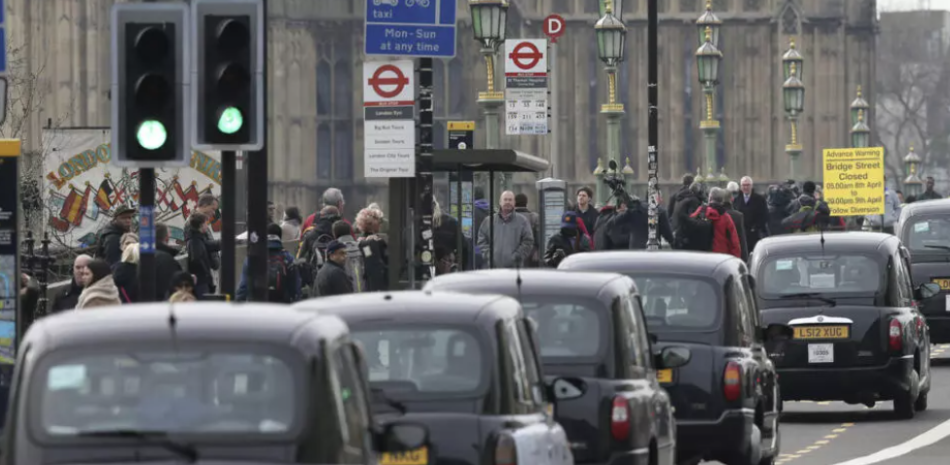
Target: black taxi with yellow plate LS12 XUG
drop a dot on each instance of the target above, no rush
(858, 334)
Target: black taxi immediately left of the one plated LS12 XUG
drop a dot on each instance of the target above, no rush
(727, 397)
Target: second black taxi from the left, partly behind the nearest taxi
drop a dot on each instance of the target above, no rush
(464, 366)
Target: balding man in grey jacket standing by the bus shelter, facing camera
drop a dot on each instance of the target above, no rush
(514, 240)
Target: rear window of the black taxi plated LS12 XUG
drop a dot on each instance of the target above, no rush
(828, 275)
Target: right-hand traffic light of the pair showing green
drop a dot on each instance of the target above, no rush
(228, 91)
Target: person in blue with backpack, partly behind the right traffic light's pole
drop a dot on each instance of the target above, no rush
(283, 280)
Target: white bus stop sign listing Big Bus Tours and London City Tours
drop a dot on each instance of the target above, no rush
(389, 149)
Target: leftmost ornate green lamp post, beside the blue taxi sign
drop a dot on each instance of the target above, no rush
(489, 23)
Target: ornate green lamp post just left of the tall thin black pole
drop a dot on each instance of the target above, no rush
(611, 44)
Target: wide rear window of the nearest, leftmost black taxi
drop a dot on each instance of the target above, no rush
(205, 391)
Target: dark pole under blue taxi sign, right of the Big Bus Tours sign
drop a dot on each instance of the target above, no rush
(424, 168)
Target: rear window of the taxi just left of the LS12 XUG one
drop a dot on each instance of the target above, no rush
(679, 303)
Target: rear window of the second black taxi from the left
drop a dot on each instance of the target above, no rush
(412, 360)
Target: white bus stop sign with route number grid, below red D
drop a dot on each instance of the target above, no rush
(526, 91)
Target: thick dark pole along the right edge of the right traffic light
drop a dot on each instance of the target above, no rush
(257, 204)
